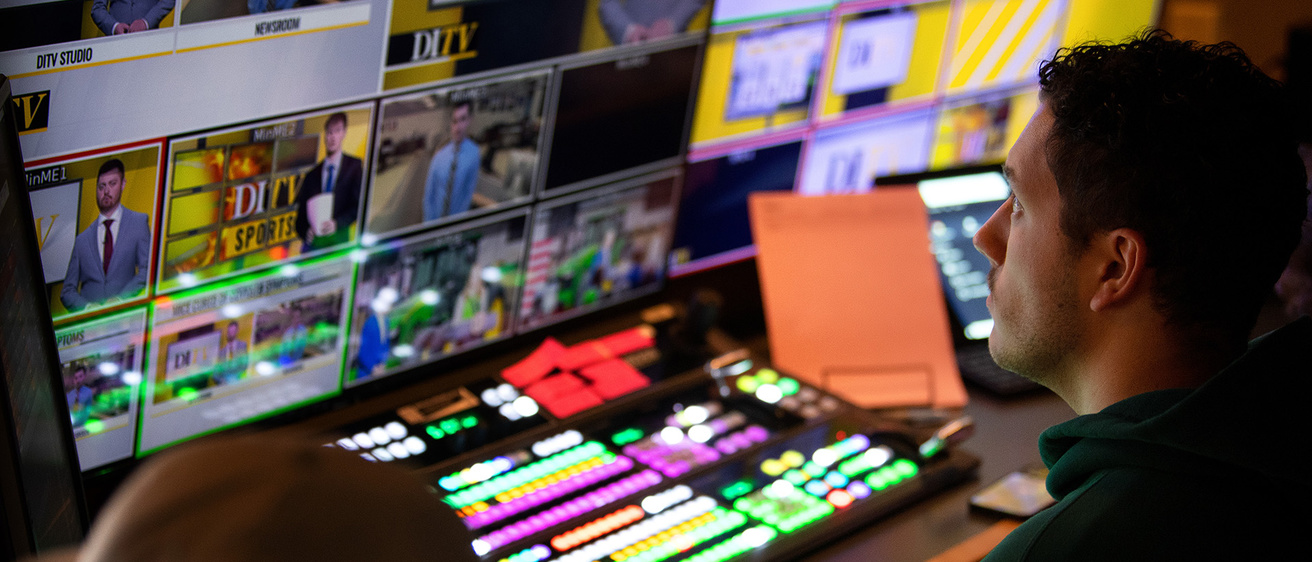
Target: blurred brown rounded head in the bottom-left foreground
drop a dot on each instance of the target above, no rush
(263, 498)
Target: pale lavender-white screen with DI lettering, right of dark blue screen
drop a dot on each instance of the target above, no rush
(847, 160)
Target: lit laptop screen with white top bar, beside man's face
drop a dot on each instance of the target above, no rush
(958, 207)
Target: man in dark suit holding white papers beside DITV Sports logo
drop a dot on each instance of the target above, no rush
(334, 184)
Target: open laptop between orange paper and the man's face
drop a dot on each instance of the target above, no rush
(960, 202)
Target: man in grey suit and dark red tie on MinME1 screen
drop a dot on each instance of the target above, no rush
(111, 259)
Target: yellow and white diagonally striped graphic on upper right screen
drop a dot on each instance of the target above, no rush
(1002, 43)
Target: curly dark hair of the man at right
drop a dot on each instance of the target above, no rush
(1193, 148)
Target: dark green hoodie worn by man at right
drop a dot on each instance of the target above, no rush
(1213, 473)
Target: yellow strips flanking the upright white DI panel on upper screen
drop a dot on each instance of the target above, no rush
(927, 57)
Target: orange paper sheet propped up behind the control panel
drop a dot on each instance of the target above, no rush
(852, 296)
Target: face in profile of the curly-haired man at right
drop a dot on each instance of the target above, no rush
(1033, 290)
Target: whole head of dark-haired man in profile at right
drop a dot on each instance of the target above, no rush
(1158, 194)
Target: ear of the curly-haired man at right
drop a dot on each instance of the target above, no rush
(1122, 262)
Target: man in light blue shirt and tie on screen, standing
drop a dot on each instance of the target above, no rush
(455, 170)
